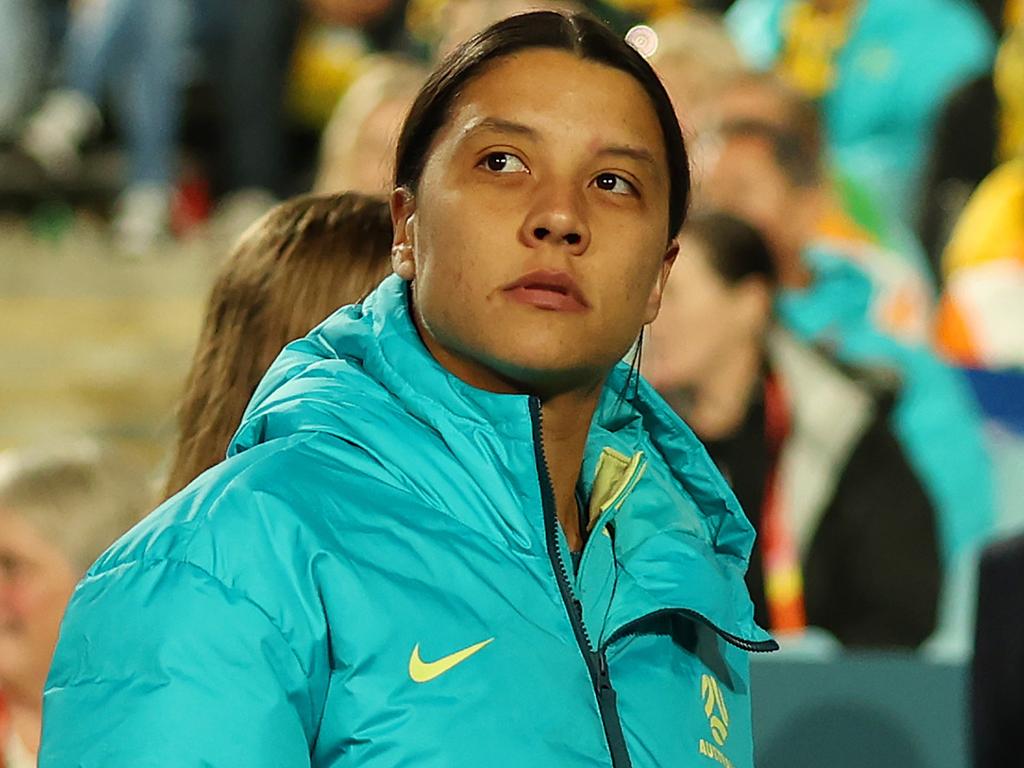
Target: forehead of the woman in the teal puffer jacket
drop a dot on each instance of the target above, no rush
(551, 90)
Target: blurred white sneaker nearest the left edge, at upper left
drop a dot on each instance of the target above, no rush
(58, 132)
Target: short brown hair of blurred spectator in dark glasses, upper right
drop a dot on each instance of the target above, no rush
(794, 133)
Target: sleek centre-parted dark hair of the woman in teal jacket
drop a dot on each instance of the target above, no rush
(579, 34)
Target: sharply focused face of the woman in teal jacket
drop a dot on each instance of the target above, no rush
(539, 229)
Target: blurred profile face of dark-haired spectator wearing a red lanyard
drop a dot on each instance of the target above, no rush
(703, 320)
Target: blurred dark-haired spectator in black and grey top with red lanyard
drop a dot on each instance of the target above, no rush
(847, 536)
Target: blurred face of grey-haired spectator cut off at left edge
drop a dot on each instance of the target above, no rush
(36, 583)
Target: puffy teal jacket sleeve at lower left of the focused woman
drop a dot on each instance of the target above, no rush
(163, 665)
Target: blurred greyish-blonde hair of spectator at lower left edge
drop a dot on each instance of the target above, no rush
(79, 495)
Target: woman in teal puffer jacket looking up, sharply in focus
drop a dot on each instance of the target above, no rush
(454, 530)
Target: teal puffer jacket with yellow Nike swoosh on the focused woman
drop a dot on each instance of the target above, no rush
(375, 578)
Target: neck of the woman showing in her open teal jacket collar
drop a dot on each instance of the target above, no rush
(567, 425)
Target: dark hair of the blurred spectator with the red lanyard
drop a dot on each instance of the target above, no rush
(736, 249)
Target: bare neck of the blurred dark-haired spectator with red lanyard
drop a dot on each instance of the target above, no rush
(720, 400)
